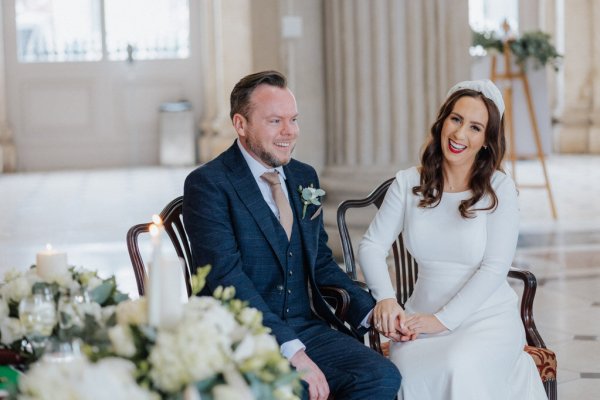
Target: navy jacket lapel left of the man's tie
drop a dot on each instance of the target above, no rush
(245, 185)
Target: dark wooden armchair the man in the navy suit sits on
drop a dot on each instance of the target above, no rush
(172, 219)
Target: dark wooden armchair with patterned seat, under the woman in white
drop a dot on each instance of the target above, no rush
(406, 273)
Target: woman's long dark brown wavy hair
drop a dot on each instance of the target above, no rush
(486, 162)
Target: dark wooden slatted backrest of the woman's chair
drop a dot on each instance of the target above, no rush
(405, 266)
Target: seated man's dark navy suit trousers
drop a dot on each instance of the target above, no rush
(353, 370)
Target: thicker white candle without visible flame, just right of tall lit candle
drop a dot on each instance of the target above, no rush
(171, 307)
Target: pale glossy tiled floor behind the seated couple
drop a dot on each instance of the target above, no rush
(87, 214)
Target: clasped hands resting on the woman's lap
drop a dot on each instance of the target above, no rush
(390, 320)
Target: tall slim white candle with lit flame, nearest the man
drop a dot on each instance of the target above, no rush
(154, 293)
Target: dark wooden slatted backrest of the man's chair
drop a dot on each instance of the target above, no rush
(173, 224)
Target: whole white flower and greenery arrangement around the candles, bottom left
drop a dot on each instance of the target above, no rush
(218, 350)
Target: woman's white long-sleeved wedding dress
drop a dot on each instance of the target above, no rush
(463, 265)
